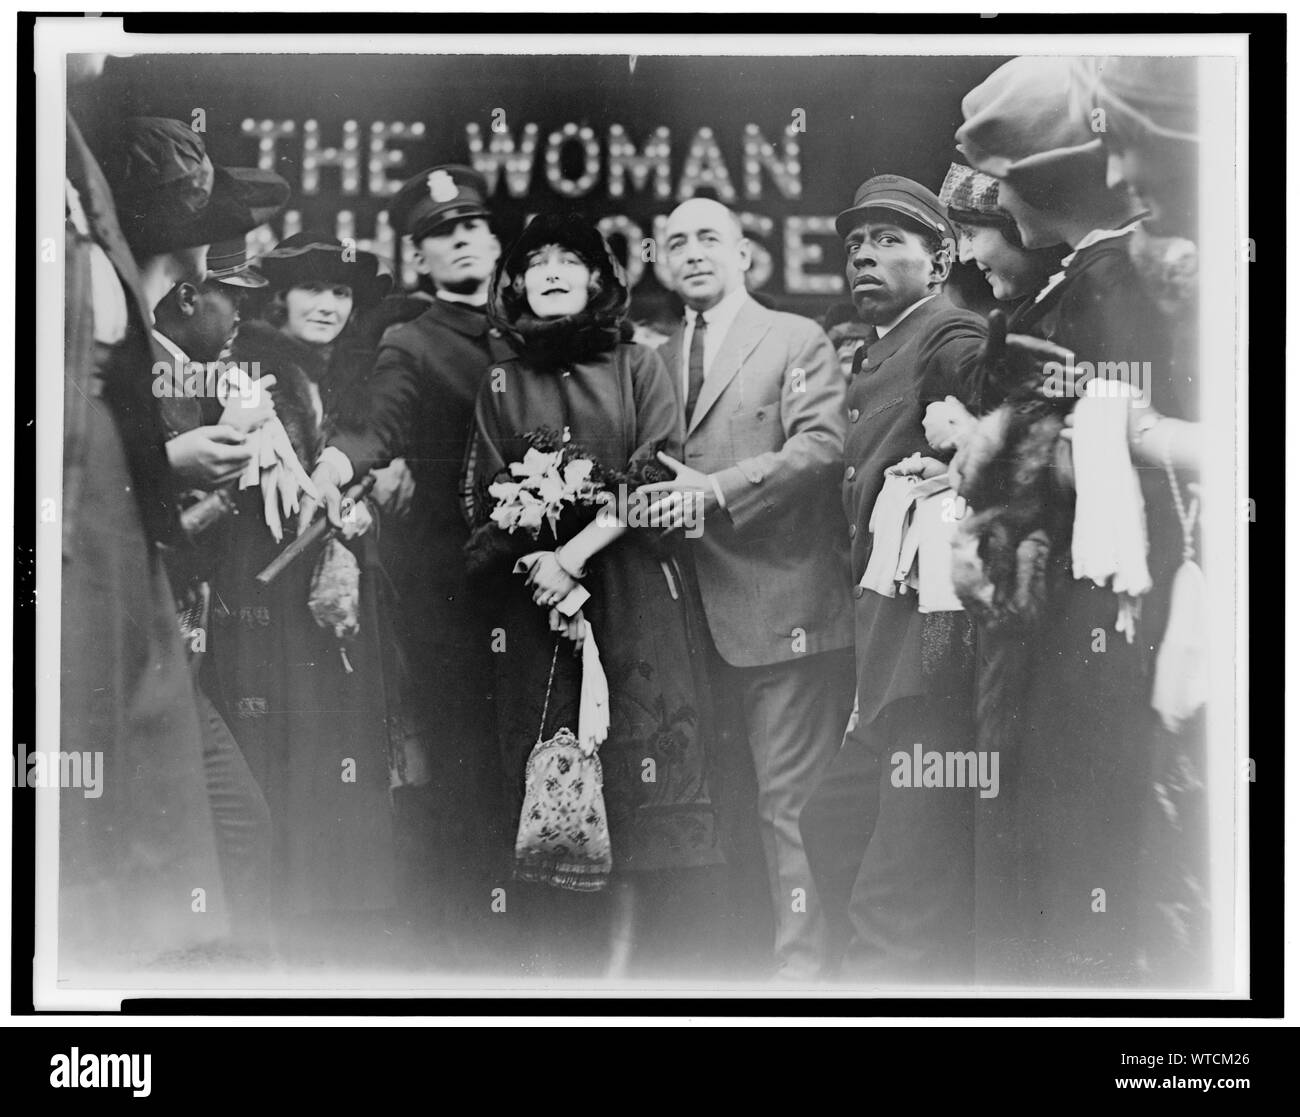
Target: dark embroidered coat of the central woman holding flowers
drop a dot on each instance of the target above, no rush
(619, 408)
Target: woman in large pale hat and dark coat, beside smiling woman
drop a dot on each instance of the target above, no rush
(1060, 882)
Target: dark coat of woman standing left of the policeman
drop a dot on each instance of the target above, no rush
(311, 716)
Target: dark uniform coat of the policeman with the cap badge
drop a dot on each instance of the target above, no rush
(422, 406)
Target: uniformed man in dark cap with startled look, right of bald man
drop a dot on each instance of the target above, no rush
(898, 861)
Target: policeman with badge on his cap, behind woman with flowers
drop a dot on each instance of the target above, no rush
(426, 383)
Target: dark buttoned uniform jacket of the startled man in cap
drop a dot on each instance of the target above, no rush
(930, 354)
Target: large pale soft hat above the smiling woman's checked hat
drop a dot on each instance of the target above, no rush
(1022, 122)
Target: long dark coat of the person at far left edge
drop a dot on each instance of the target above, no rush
(131, 859)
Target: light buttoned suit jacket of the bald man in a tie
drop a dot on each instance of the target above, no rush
(770, 423)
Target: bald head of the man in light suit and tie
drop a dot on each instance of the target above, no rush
(708, 253)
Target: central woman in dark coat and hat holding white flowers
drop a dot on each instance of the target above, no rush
(562, 300)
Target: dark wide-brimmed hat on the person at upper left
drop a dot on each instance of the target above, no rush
(170, 196)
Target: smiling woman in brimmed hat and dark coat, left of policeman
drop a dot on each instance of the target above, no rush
(306, 698)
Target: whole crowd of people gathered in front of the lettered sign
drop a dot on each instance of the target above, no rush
(469, 633)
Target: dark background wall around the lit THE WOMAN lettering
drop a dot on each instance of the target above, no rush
(861, 118)
